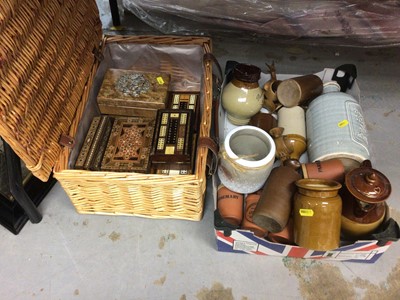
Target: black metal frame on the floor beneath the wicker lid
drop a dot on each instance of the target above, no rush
(16, 212)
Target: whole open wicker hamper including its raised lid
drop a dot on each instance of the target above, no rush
(50, 53)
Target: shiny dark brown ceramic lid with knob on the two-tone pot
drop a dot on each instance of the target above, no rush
(367, 184)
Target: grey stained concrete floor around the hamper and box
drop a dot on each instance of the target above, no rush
(73, 256)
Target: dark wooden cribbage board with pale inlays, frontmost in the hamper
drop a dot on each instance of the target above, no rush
(173, 137)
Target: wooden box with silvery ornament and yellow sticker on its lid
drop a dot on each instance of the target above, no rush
(133, 93)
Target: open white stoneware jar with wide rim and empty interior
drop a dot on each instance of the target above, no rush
(246, 159)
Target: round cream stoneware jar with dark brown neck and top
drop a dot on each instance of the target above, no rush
(242, 97)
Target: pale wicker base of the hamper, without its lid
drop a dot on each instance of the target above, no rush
(147, 195)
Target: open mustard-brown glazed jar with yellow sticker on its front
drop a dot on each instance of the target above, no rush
(317, 214)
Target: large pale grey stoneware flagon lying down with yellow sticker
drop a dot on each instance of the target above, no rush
(336, 128)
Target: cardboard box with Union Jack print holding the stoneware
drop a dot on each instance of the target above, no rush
(244, 241)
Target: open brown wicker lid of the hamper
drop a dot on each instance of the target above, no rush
(46, 55)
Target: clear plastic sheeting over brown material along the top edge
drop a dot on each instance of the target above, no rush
(349, 23)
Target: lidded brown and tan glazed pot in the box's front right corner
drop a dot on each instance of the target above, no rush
(366, 190)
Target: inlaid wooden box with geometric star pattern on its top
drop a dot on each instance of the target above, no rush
(129, 145)
